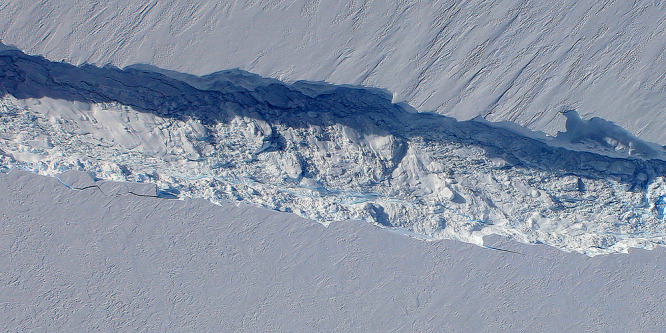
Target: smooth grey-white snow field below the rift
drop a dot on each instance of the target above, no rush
(103, 259)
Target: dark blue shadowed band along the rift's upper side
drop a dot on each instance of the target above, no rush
(367, 110)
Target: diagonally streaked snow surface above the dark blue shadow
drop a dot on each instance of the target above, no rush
(505, 60)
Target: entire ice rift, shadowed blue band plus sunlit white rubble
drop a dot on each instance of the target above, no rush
(330, 152)
